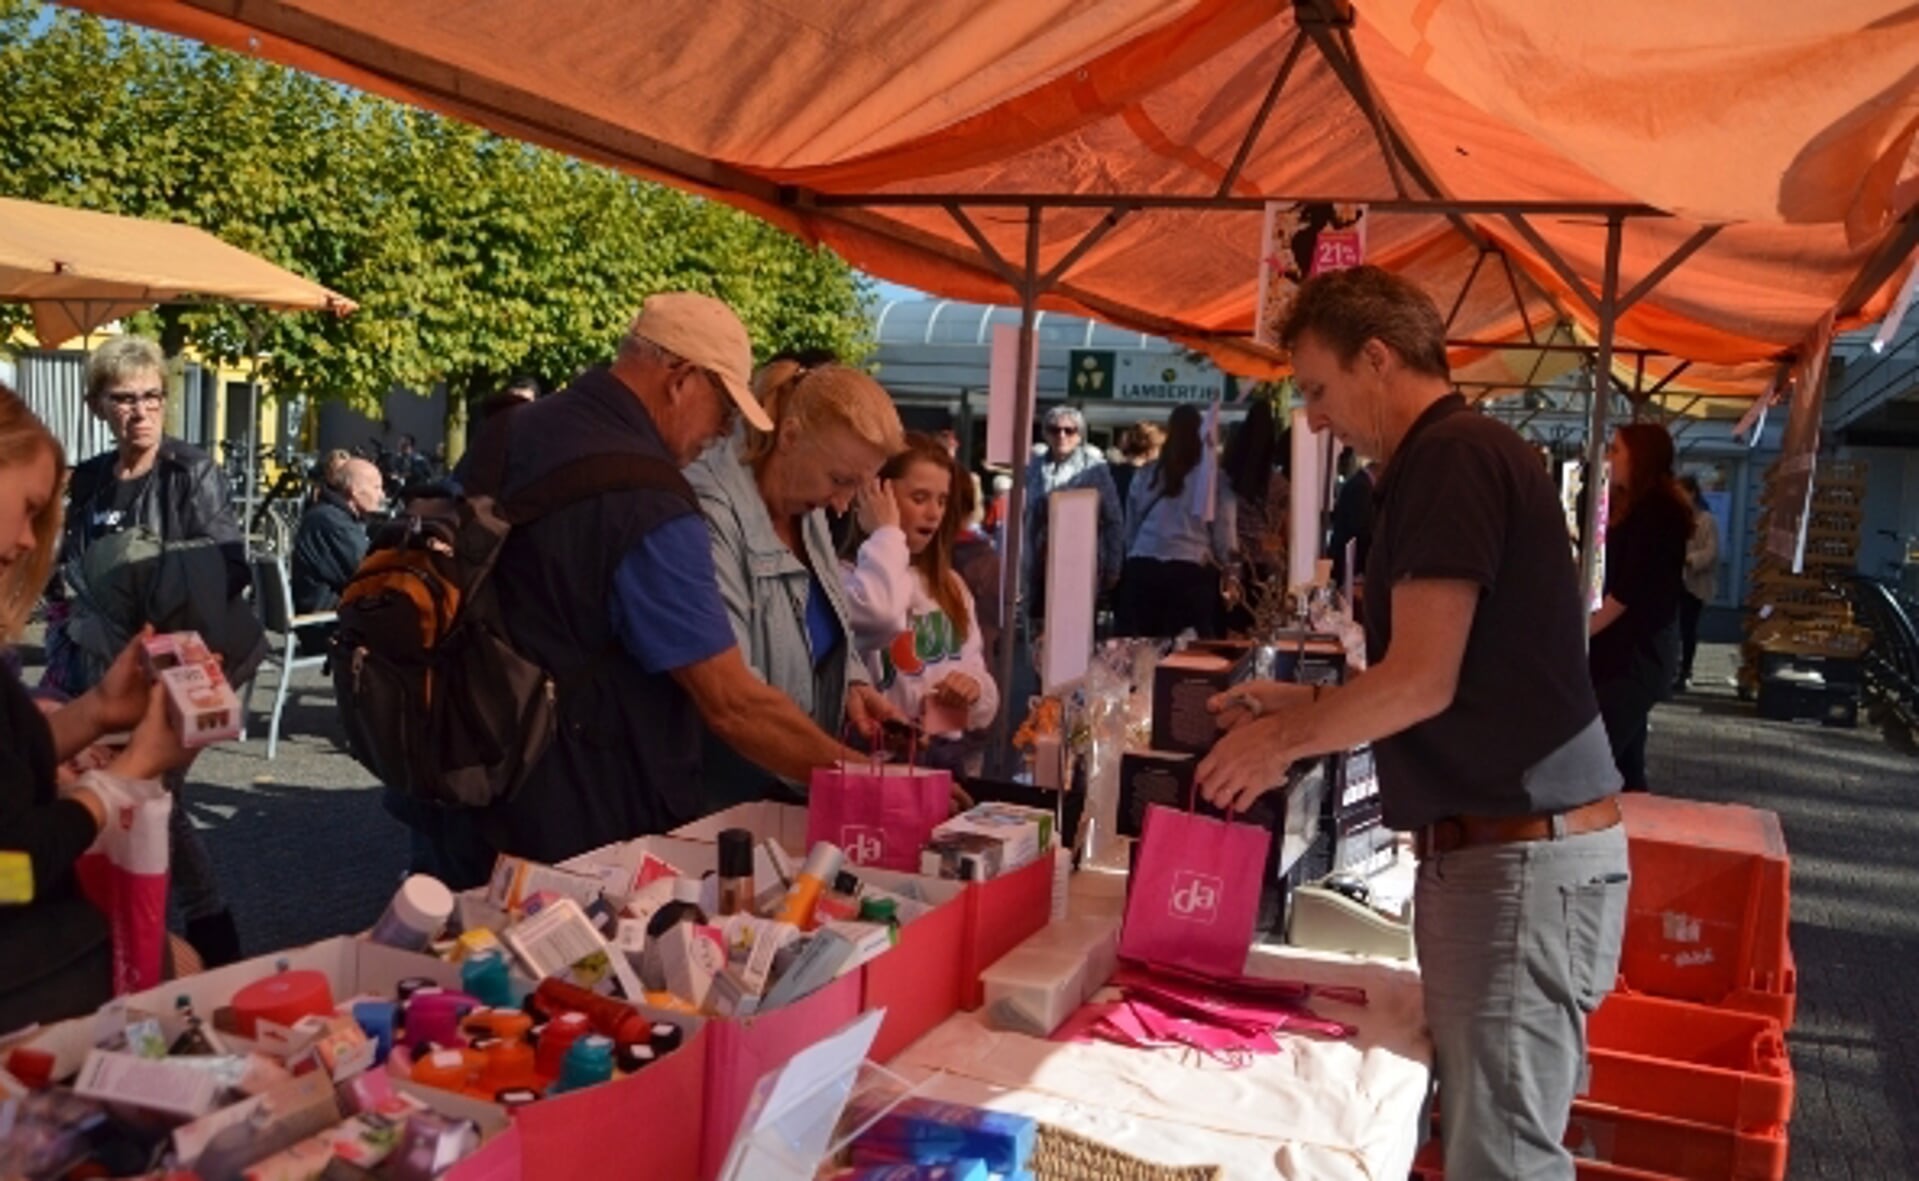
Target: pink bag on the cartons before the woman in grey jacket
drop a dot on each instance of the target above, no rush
(880, 815)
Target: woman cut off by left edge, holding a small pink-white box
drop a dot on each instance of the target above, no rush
(57, 957)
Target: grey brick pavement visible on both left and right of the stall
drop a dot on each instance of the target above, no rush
(306, 852)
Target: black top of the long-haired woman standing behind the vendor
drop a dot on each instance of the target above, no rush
(1646, 573)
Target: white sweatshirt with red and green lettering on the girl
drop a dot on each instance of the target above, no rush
(905, 639)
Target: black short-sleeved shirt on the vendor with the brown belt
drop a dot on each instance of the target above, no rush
(1465, 498)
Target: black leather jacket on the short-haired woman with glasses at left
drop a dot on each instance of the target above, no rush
(187, 502)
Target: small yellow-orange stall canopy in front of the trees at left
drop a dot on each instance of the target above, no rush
(83, 270)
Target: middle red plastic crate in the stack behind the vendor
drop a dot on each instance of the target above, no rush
(1690, 1063)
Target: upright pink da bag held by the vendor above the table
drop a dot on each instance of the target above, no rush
(1195, 892)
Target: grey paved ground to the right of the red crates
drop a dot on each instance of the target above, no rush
(1847, 806)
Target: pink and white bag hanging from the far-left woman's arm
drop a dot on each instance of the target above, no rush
(126, 877)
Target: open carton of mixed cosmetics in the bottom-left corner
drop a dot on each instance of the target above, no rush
(277, 1080)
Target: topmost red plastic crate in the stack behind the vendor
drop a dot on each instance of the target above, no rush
(1709, 909)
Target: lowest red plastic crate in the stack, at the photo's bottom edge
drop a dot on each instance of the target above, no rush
(1676, 1147)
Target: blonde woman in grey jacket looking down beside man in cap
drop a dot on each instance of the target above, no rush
(767, 498)
